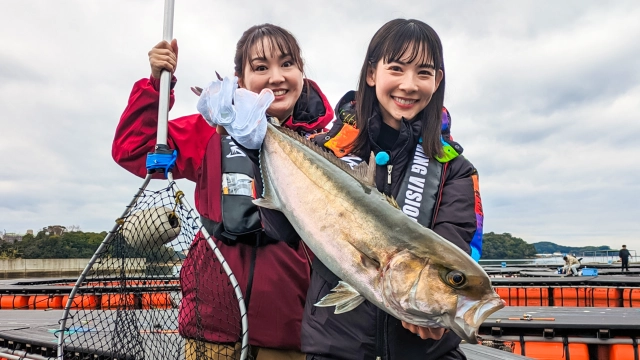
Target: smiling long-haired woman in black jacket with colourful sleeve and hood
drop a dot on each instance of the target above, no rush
(397, 112)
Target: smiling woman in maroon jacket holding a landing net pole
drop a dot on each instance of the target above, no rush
(273, 272)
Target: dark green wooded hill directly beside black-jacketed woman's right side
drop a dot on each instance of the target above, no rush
(506, 246)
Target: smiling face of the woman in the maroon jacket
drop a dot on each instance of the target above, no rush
(268, 68)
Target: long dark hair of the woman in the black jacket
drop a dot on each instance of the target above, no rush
(408, 40)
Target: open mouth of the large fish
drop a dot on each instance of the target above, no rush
(471, 315)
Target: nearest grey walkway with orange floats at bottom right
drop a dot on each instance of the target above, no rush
(564, 333)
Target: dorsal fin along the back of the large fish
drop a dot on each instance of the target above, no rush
(363, 172)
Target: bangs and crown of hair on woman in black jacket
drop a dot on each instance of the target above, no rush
(411, 42)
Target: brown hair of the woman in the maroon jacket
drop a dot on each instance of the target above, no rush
(276, 38)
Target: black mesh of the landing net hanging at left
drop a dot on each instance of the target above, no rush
(156, 291)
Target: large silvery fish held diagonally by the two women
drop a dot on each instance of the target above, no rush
(379, 252)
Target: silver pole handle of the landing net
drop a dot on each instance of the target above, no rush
(165, 78)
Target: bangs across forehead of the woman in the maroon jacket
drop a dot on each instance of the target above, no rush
(278, 44)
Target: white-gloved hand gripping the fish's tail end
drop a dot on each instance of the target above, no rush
(241, 112)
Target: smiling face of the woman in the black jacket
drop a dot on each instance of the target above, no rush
(403, 87)
